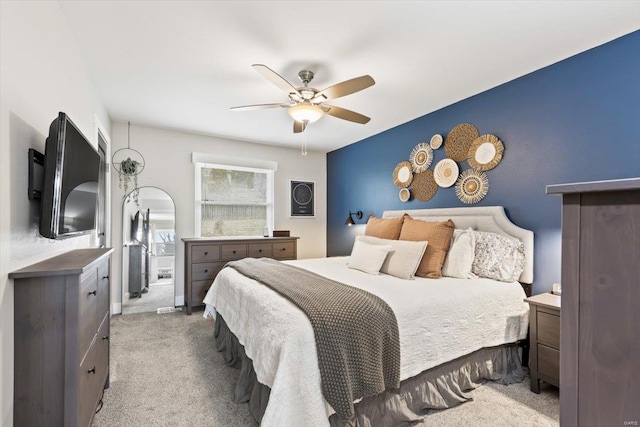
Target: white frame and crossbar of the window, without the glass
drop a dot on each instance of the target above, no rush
(270, 205)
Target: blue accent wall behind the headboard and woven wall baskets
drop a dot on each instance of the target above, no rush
(576, 120)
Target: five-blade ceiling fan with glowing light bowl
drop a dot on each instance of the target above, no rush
(306, 104)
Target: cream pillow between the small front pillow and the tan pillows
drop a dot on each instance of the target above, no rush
(403, 259)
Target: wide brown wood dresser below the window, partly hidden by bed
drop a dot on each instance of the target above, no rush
(205, 257)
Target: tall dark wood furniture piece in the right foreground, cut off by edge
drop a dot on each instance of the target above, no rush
(600, 356)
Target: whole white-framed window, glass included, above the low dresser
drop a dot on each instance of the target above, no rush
(233, 200)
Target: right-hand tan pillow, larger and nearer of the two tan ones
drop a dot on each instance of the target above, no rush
(438, 234)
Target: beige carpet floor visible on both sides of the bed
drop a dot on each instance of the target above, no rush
(165, 372)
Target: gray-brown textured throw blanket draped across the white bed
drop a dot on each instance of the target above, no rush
(356, 332)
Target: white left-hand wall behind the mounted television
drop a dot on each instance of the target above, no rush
(42, 73)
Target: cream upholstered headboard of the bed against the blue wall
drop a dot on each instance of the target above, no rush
(481, 218)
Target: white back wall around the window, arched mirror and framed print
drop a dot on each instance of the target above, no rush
(168, 166)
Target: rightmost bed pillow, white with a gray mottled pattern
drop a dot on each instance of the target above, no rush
(498, 257)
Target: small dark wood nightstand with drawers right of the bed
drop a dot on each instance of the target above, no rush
(544, 331)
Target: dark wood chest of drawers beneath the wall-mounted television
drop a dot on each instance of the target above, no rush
(61, 330)
